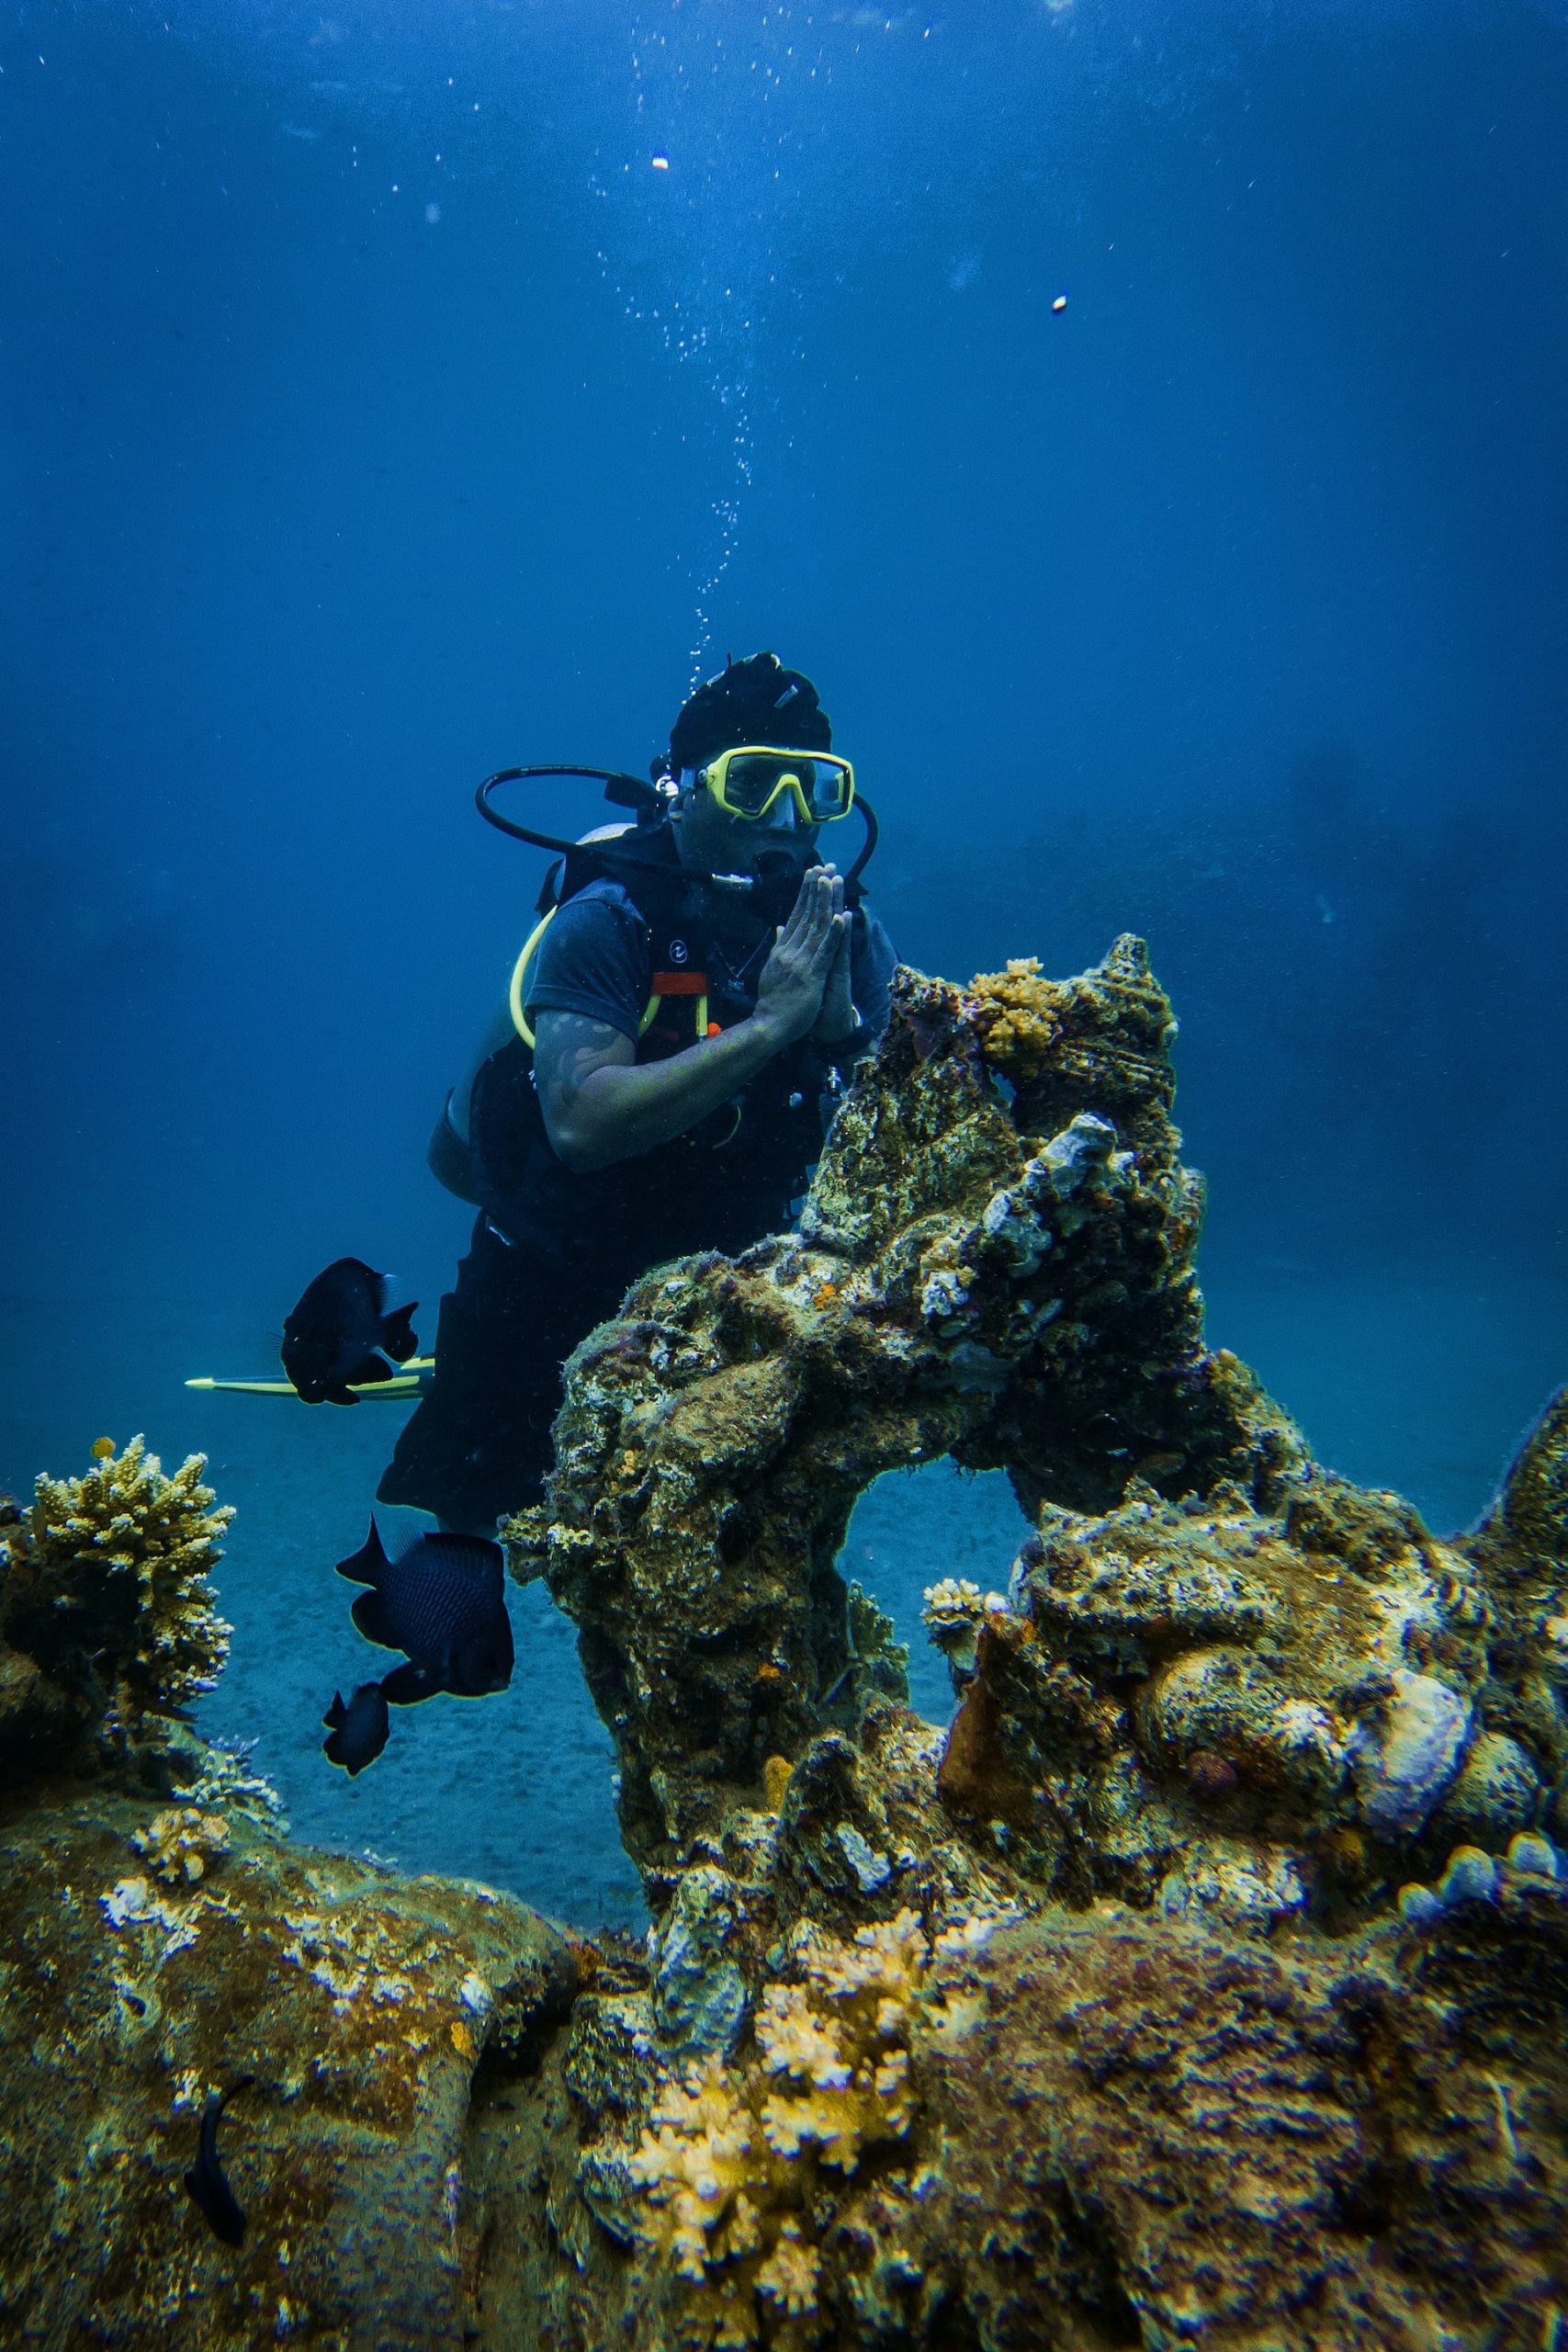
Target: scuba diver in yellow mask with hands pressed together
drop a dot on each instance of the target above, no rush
(697, 991)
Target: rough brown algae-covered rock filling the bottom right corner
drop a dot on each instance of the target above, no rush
(1162, 2137)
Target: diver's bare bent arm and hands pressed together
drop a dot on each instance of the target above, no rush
(601, 1104)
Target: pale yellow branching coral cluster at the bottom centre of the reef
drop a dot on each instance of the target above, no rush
(730, 2156)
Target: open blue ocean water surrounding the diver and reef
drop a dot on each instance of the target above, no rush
(401, 394)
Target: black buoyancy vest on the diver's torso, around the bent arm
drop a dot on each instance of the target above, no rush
(721, 1184)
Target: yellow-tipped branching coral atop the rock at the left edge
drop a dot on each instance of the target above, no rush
(107, 1584)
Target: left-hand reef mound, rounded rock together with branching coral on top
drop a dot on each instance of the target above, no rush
(159, 1953)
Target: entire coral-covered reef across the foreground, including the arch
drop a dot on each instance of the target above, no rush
(1202, 1982)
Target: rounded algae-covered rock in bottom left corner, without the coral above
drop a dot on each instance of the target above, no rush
(363, 2007)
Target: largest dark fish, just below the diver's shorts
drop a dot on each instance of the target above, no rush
(443, 1603)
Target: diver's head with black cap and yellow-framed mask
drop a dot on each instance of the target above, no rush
(753, 787)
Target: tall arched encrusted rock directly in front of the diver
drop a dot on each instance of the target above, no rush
(960, 1283)
